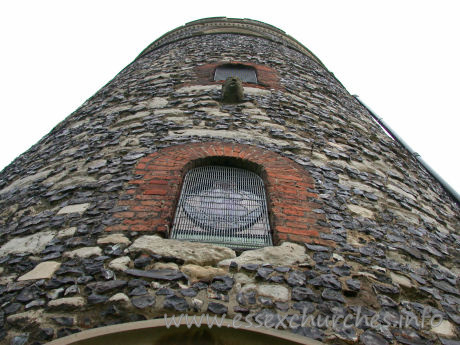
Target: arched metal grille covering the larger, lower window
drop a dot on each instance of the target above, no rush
(223, 205)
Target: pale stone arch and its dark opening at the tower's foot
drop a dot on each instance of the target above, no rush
(155, 332)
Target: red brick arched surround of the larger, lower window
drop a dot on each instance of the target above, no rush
(156, 191)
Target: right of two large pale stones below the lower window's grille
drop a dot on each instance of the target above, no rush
(287, 254)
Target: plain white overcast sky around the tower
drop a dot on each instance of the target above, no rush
(401, 57)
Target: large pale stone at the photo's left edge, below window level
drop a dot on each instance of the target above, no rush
(34, 244)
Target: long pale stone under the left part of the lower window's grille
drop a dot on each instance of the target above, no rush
(190, 252)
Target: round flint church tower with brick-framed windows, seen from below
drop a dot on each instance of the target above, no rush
(226, 172)
